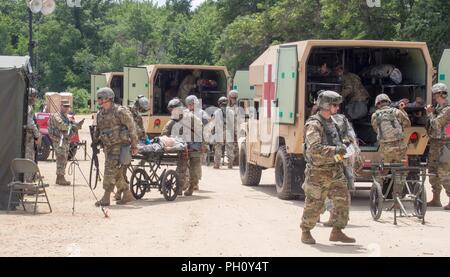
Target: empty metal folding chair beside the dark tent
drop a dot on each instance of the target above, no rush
(23, 189)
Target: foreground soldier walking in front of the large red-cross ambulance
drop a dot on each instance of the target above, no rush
(324, 171)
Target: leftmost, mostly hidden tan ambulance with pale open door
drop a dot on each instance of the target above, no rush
(113, 80)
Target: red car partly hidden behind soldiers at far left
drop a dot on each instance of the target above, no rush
(46, 145)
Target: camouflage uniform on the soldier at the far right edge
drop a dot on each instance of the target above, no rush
(438, 123)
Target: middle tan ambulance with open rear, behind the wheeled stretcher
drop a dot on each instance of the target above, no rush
(162, 82)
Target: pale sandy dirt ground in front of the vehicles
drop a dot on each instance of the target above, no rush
(223, 219)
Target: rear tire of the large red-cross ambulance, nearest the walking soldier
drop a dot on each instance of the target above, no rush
(289, 173)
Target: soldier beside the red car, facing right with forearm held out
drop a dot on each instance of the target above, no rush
(60, 128)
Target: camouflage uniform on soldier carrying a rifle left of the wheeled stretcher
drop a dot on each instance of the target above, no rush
(115, 127)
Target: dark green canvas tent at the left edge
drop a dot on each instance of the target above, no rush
(13, 103)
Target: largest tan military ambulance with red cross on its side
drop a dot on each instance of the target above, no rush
(285, 92)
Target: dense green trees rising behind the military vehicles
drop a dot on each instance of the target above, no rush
(105, 35)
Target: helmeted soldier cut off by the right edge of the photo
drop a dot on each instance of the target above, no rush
(439, 133)
